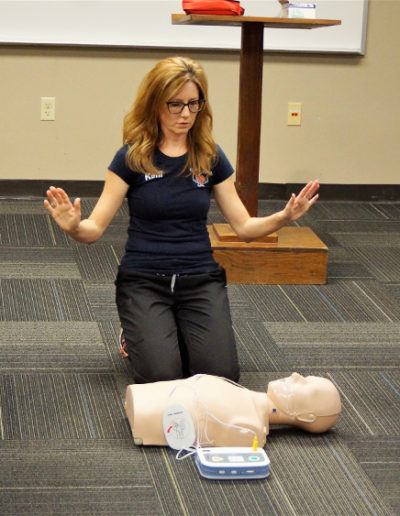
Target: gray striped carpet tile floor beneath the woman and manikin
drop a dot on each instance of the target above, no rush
(65, 445)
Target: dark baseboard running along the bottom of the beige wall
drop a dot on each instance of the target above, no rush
(328, 192)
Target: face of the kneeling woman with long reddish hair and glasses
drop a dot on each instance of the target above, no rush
(180, 124)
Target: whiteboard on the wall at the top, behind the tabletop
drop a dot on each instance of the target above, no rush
(147, 23)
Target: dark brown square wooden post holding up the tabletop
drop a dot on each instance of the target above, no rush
(250, 99)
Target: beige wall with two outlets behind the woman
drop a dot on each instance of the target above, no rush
(349, 135)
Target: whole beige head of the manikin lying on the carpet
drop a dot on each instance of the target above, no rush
(311, 403)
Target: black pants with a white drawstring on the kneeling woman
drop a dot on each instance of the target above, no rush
(176, 326)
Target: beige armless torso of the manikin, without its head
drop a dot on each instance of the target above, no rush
(207, 398)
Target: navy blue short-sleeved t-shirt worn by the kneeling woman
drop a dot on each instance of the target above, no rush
(167, 232)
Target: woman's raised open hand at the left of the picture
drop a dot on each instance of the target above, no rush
(66, 214)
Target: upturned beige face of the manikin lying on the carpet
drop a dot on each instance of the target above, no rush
(297, 396)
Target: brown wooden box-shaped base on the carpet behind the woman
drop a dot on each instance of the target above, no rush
(291, 256)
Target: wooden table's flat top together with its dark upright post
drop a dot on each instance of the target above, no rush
(250, 89)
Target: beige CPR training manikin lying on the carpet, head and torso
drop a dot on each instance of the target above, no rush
(227, 414)
